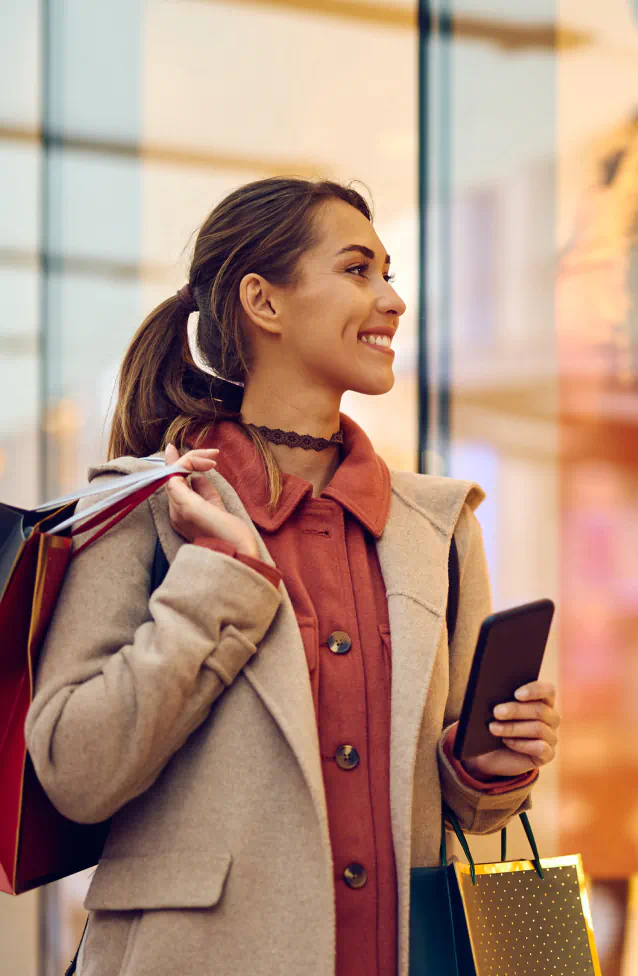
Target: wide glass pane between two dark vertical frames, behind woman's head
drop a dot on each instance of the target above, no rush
(145, 152)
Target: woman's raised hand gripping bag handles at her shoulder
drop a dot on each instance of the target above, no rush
(197, 510)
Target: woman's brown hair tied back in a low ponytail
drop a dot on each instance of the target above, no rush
(163, 396)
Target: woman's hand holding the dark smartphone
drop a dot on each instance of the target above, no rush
(527, 727)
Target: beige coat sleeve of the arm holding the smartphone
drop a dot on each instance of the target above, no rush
(478, 811)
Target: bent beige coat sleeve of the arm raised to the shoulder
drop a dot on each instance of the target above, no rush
(122, 681)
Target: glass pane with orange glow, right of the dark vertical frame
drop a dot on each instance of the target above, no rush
(531, 169)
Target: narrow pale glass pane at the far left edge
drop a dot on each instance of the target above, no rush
(20, 160)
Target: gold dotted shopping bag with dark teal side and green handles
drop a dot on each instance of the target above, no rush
(510, 918)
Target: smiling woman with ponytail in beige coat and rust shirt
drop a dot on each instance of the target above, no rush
(271, 732)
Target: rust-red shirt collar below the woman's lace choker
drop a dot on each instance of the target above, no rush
(361, 483)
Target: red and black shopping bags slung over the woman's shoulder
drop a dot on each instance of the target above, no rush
(38, 844)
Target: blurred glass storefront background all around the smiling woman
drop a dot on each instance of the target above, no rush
(500, 145)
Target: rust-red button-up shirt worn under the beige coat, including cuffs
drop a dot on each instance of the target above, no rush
(324, 549)
